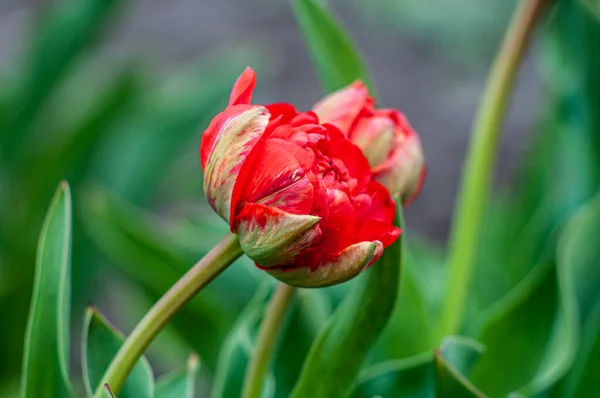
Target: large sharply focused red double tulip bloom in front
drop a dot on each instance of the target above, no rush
(299, 195)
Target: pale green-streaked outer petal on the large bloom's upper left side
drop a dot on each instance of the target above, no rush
(226, 145)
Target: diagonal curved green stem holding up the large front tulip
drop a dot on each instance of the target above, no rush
(215, 261)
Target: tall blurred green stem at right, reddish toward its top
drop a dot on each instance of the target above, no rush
(477, 172)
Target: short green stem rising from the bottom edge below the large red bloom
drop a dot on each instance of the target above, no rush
(267, 337)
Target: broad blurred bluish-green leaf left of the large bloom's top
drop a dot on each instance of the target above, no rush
(167, 126)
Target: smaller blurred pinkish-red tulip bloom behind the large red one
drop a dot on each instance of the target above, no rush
(389, 143)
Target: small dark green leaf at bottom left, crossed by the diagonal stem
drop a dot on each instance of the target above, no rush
(101, 342)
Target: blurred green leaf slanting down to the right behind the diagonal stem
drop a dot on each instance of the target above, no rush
(152, 253)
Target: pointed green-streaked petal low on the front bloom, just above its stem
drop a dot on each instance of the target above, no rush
(271, 236)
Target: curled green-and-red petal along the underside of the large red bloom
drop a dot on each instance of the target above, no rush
(347, 264)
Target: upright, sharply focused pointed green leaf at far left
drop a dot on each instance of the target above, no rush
(46, 360)
